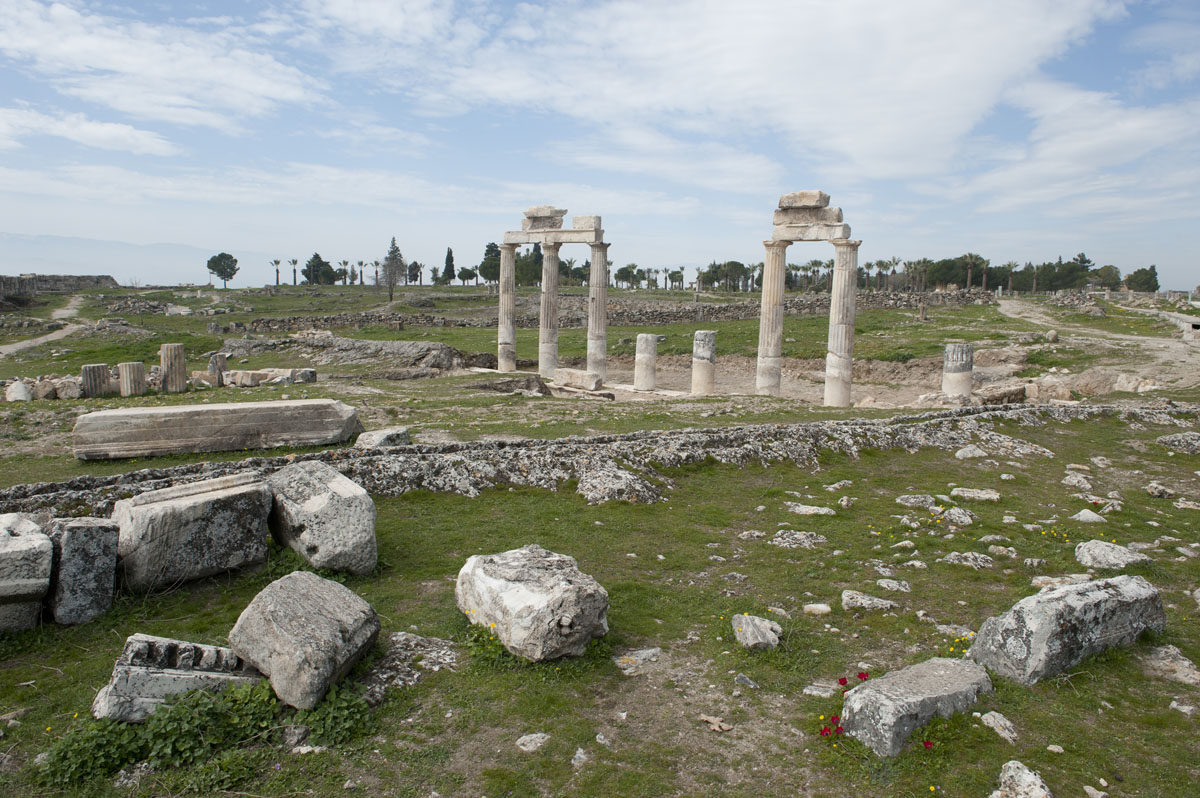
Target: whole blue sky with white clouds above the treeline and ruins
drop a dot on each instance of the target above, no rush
(1022, 130)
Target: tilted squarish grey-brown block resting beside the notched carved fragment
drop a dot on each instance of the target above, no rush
(305, 634)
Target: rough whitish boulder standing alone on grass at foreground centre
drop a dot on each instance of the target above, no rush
(539, 604)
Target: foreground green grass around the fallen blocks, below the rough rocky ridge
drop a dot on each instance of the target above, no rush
(455, 731)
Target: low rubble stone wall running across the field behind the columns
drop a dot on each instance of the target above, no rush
(622, 313)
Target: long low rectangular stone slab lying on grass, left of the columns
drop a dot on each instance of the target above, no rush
(149, 431)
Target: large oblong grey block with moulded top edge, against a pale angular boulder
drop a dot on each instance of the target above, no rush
(188, 532)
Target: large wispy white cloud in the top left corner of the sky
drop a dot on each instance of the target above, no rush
(151, 71)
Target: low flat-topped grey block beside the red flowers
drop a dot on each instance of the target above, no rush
(884, 712)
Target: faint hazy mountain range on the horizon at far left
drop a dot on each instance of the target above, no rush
(146, 265)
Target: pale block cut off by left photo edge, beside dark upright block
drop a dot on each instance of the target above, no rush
(27, 560)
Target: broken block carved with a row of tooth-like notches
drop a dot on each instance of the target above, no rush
(151, 670)
